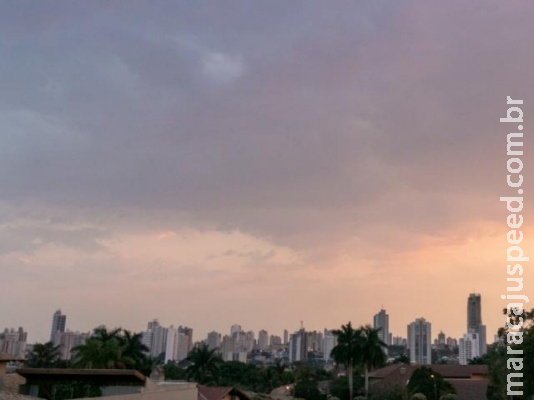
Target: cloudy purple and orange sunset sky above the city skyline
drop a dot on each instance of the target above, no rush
(263, 163)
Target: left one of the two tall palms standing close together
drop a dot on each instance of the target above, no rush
(347, 352)
